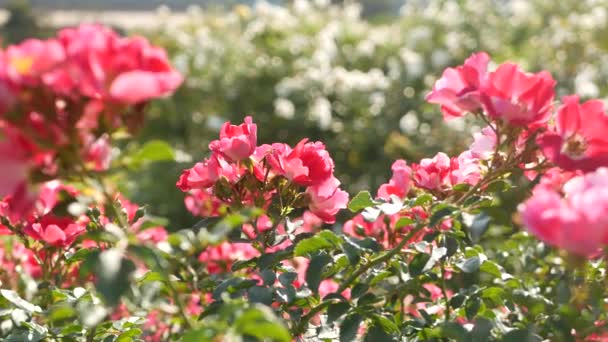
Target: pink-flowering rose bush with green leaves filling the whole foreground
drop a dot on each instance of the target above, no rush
(504, 241)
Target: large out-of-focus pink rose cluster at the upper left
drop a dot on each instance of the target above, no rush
(62, 98)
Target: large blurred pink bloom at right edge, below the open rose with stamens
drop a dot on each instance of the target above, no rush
(576, 221)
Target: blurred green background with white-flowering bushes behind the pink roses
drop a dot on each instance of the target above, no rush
(352, 74)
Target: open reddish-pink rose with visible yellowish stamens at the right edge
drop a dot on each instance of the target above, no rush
(579, 140)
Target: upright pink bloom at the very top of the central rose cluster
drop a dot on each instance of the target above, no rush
(236, 142)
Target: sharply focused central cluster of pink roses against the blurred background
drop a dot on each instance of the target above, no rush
(276, 177)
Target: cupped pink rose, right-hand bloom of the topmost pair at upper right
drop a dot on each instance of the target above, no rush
(517, 97)
